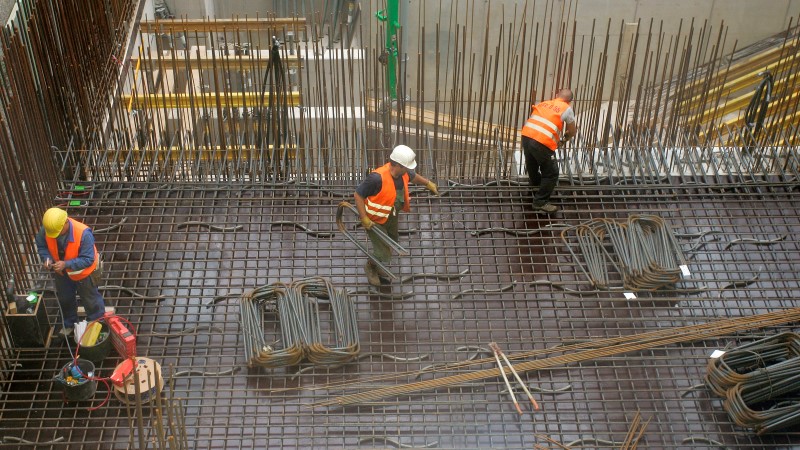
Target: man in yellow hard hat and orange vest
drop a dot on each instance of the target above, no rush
(67, 248)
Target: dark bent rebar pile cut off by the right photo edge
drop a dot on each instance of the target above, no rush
(760, 382)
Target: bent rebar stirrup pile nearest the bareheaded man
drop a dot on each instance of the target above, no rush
(643, 251)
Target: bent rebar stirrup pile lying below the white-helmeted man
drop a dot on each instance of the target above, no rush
(299, 320)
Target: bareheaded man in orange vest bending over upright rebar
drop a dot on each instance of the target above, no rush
(550, 122)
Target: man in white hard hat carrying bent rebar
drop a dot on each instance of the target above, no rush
(382, 194)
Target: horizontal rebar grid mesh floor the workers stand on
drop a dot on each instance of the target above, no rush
(168, 274)
